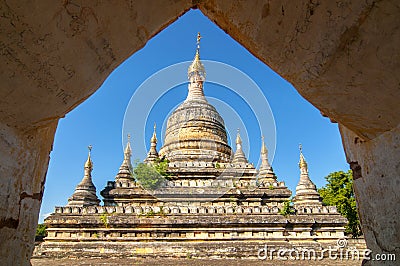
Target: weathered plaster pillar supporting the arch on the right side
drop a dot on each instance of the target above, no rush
(376, 167)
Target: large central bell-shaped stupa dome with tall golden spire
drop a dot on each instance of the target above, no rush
(195, 130)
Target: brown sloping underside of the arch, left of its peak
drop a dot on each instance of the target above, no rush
(64, 50)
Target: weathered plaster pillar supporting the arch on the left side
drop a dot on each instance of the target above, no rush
(23, 166)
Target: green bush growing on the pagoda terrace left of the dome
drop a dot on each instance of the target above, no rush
(151, 176)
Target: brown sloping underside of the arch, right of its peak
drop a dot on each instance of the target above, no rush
(342, 56)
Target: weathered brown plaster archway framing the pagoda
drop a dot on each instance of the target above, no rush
(343, 57)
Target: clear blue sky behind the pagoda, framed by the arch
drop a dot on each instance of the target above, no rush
(99, 120)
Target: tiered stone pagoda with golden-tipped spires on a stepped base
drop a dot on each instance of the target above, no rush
(212, 202)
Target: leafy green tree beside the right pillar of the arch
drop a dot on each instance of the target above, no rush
(339, 192)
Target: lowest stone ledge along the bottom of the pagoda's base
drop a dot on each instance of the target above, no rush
(179, 249)
